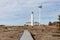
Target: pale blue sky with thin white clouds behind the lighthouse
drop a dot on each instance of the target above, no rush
(17, 12)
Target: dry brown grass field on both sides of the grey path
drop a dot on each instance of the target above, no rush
(39, 33)
